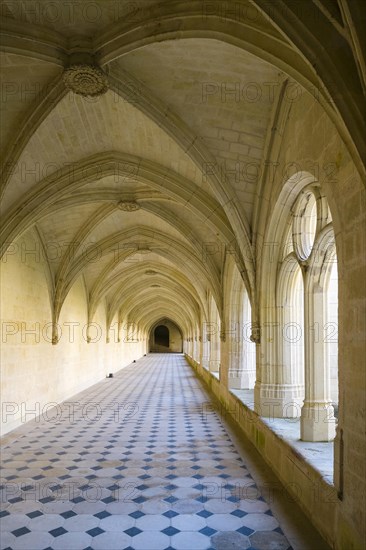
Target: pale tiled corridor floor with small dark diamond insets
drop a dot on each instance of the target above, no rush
(138, 461)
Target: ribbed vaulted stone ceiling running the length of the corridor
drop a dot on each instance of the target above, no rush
(141, 190)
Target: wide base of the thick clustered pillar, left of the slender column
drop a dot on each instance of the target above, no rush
(278, 400)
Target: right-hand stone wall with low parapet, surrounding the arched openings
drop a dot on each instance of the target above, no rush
(309, 143)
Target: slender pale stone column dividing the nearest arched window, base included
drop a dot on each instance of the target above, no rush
(318, 422)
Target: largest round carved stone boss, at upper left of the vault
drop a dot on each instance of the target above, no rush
(85, 79)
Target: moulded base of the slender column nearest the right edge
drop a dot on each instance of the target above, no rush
(317, 422)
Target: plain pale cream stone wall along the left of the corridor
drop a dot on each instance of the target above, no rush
(36, 373)
